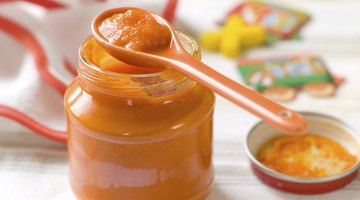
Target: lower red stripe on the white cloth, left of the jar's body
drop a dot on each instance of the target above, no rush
(26, 121)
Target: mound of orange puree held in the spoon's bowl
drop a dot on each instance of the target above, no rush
(135, 30)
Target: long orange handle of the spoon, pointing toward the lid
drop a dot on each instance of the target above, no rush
(279, 116)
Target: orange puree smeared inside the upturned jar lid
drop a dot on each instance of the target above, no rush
(309, 156)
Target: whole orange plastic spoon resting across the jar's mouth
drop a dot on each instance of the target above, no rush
(177, 58)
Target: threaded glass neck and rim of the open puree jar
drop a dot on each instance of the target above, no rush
(163, 83)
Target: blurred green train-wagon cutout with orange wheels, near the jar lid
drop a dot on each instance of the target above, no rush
(280, 77)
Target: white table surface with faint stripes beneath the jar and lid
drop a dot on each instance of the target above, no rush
(35, 168)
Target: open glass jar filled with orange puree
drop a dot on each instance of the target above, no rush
(138, 136)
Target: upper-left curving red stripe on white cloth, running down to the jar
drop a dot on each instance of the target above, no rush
(27, 39)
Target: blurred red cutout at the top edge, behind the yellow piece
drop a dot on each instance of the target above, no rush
(281, 22)
